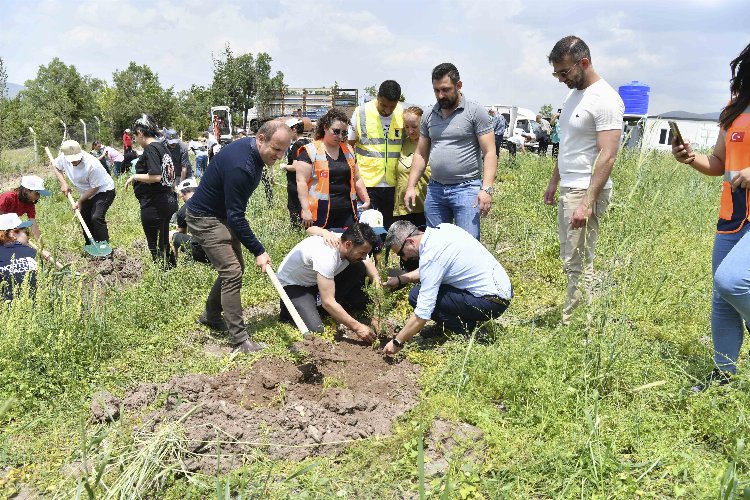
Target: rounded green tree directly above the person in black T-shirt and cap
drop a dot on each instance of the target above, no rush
(137, 90)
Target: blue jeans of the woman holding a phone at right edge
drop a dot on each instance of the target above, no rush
(731, 296)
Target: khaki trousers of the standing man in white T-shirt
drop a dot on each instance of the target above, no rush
(577, 245)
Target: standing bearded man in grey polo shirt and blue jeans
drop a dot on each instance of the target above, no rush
(454, 136)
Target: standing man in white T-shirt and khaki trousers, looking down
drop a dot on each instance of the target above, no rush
(590, 130)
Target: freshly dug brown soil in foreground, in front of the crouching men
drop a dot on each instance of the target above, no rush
(340, 393)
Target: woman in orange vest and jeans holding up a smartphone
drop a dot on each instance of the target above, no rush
(730, 308)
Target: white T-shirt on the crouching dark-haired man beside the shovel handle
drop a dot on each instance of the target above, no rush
(309, 258)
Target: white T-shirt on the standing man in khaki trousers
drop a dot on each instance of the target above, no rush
(586, 112)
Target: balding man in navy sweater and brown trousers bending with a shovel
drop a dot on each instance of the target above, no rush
(216, 218)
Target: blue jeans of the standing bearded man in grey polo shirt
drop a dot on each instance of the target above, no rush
(453, 202)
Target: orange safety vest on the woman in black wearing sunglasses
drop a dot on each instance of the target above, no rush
(318, 187)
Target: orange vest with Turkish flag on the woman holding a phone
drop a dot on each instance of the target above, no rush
(735, 206)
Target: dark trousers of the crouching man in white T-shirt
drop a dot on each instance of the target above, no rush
(349, 293)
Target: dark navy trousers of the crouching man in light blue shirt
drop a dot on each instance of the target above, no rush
(458, 310)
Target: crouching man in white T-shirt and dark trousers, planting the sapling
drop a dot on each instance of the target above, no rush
(333, 265)
